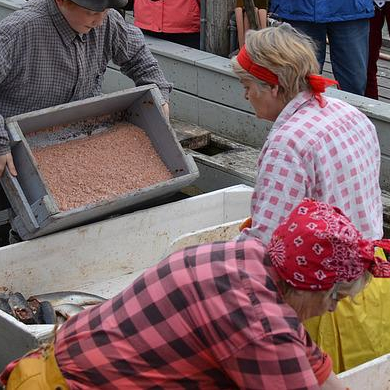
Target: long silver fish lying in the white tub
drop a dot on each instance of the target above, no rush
(75, 297)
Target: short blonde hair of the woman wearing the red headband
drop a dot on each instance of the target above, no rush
(285, 52)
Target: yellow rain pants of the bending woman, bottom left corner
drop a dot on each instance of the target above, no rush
(37, 373)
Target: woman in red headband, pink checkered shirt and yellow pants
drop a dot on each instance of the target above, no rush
(318, 147)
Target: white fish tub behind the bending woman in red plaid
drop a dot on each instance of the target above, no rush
(104, 257)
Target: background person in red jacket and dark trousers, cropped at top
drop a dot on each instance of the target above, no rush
(174, 20)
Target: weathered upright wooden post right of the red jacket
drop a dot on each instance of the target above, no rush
(218, 13)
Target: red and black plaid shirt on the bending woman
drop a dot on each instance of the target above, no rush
(207, 317)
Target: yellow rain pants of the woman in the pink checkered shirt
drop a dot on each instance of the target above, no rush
(357, 331)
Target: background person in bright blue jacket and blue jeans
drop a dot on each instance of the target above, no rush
(346, 23)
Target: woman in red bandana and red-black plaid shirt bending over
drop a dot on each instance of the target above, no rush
(225, 315)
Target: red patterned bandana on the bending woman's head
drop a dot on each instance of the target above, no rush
(318, 246)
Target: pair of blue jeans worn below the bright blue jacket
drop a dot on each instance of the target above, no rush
(348, 43)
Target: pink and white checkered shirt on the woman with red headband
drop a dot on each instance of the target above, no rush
(330, 154)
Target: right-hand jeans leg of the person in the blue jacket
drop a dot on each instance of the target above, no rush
(349, 53)
